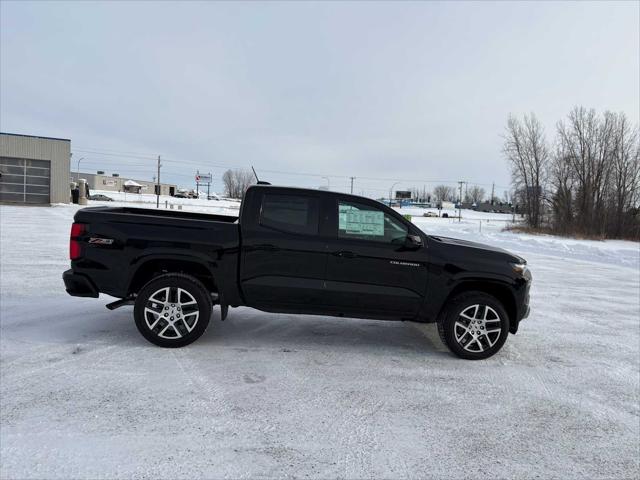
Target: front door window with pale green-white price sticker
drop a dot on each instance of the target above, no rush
(364, 222)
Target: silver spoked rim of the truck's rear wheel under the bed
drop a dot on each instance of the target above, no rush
(171, 313)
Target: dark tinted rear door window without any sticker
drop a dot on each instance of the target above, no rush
(290, 213)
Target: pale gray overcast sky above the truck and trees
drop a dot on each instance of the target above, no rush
(416, 91)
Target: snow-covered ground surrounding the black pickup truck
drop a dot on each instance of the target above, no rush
(83, 395)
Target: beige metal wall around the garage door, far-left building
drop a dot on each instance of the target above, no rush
(57, 151)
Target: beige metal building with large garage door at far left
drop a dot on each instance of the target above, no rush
(34, 170)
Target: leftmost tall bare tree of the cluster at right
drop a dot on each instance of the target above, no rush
(526, 149)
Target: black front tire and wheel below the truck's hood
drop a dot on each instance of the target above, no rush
(474, 325)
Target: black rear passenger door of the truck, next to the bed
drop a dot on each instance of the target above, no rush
(283, 254)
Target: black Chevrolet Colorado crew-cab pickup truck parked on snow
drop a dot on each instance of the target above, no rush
(297, 251)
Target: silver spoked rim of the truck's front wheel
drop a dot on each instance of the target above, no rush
(477, 328)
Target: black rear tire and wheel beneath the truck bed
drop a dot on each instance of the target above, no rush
(176, 320)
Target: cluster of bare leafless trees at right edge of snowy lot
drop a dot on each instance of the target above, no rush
(586, 181)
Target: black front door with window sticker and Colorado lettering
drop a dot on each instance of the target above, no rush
(370, 268)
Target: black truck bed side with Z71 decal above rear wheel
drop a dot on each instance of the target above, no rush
(121, 243)
